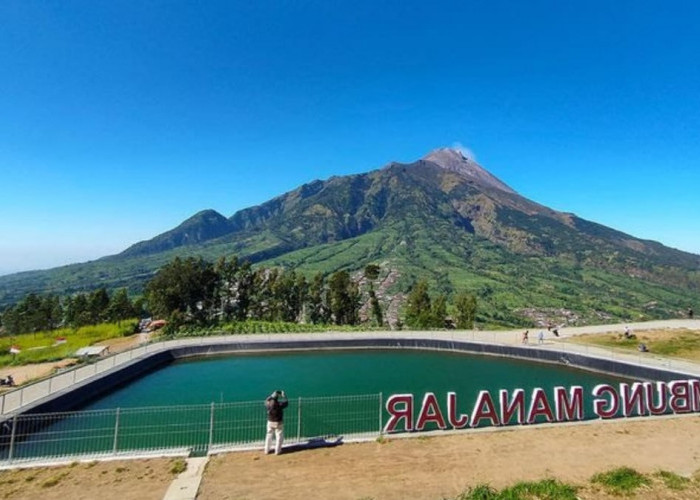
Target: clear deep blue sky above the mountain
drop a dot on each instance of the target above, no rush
(120, 119)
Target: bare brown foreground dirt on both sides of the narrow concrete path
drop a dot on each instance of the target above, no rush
(430, 468)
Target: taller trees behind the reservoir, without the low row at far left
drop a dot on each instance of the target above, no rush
(195, 291)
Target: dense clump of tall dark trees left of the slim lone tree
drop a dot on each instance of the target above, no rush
(193, 291)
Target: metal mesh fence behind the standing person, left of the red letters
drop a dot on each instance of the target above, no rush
(195, 429)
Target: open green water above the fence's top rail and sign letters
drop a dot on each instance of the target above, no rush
(335, 373)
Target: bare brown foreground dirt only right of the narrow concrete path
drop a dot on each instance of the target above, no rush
(442, 467)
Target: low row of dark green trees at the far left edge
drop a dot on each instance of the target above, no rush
(42, 313)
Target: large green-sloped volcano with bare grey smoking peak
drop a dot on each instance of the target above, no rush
(443, 217)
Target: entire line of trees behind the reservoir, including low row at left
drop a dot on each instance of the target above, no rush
(195, 292)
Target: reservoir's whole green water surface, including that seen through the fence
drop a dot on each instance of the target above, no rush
(199, 404)
